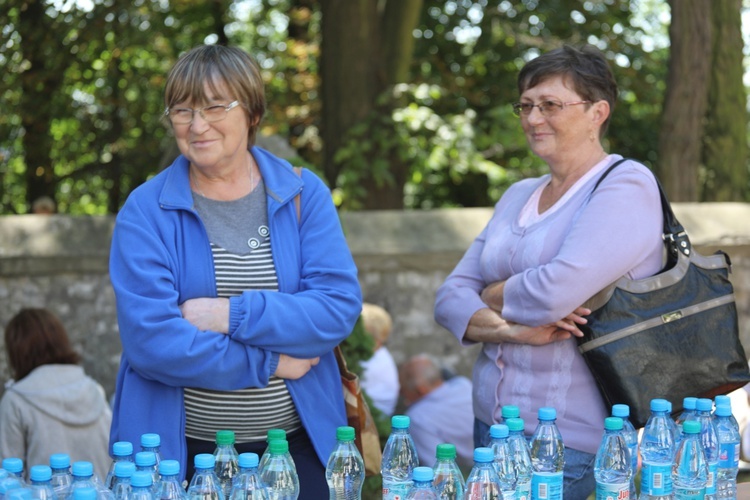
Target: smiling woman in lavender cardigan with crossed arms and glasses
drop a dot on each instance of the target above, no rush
(549, 247)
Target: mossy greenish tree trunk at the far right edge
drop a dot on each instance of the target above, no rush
(725, 146)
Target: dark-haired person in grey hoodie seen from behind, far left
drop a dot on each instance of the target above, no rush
(51, 405)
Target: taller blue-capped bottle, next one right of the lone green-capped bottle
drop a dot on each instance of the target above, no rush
(399, 459)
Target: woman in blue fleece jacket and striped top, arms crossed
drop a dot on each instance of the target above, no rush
(231, 294)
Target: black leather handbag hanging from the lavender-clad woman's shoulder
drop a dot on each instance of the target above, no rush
(671, 335)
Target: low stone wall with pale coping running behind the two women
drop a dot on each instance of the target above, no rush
(60, 262)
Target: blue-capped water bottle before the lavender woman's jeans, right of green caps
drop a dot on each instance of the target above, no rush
(547, 457)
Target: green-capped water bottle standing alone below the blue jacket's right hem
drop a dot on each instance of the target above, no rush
(345, 471)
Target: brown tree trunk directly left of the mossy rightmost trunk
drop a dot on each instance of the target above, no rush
(686, 98)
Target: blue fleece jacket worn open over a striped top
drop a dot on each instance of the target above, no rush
(161, 257)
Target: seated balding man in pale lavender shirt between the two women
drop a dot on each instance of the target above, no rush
(440, 410)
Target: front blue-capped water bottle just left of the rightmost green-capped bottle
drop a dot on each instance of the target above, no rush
(657, 451)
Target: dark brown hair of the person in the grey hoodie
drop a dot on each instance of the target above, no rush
(35, 337)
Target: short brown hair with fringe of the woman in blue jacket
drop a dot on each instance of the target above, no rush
(216, 65)
